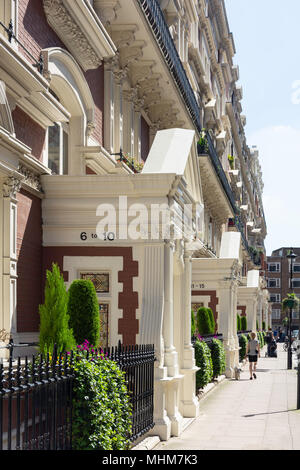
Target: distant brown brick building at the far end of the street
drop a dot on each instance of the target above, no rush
(278, 283)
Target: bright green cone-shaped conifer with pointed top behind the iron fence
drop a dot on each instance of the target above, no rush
(54, 320)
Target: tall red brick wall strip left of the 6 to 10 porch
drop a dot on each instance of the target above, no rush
(29, 267)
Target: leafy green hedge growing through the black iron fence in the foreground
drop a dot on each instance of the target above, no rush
(101, 410)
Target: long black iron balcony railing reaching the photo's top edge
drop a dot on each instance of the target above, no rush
(160, 29)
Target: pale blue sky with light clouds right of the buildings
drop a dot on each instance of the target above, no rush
(267, 39)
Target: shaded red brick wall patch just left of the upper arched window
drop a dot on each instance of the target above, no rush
(29, 132)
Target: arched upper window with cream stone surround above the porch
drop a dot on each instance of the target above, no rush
(67, 138)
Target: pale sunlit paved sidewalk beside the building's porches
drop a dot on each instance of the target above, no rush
(247, 414)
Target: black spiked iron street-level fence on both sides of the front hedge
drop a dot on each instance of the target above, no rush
(36, 397)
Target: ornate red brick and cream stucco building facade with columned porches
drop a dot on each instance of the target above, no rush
(90, 90)
